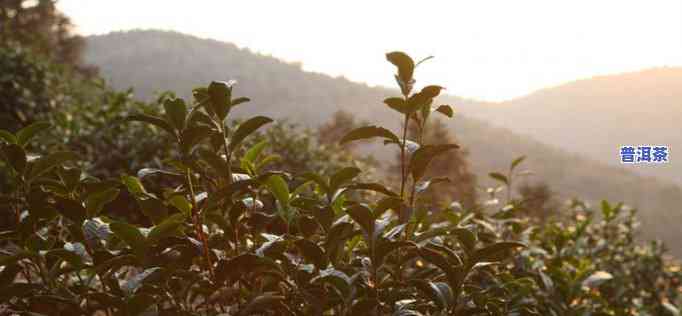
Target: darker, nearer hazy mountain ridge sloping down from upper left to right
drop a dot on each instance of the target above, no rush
(154, 61)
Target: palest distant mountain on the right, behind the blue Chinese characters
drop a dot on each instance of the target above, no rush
(594, 117)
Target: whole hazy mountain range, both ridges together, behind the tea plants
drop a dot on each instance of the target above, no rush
(569, 133)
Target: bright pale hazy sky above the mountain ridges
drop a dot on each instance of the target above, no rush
(491, 50)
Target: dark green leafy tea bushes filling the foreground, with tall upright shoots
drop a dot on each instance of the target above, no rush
(230, 236)
